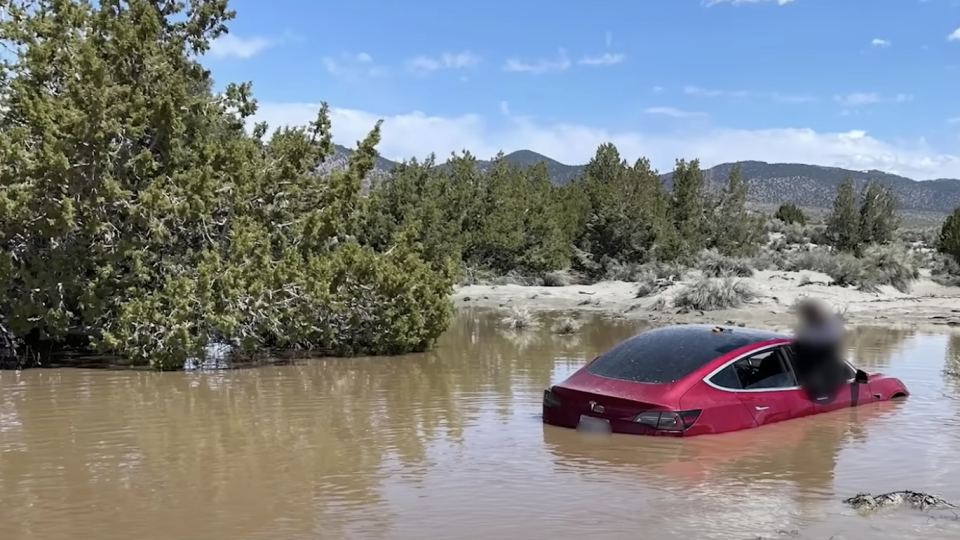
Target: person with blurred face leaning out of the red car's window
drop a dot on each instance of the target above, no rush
(818, 350)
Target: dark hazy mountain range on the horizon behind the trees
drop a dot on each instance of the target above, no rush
(768, 183)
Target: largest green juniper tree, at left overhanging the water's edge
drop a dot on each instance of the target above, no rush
(136, 208)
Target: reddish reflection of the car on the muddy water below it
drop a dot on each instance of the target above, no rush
(779, 466)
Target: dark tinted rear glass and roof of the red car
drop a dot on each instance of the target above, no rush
(668, 354)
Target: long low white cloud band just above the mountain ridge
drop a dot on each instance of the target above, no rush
(417, 134)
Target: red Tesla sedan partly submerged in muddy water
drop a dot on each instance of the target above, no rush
(689, 380)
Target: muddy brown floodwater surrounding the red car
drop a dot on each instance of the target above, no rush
(449, 445)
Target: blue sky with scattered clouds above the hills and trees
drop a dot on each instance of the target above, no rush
(853, 83)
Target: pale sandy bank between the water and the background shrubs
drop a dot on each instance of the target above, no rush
(927, 304)
